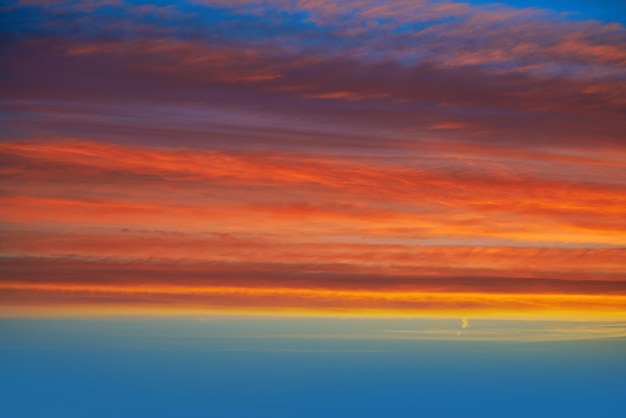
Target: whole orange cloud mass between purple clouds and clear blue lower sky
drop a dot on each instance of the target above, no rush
(341, 233)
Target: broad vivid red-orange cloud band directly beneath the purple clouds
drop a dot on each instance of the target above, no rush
(122, 185)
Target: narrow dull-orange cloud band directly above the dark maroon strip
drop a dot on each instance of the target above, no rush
(400, 263)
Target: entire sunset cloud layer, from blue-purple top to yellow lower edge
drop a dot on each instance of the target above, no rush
(387, 157)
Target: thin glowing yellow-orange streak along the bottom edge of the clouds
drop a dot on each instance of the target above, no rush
(228, 299)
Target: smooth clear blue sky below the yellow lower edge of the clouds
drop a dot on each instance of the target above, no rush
(241, 368)
